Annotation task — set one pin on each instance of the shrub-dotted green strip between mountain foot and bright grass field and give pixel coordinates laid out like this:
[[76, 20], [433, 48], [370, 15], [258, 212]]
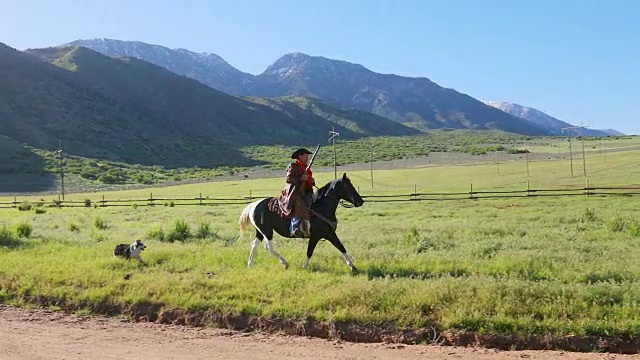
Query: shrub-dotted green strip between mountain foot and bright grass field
[[84, 174]]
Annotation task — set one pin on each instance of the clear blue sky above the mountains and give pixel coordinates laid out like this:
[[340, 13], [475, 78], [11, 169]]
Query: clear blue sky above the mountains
[[576, 60]]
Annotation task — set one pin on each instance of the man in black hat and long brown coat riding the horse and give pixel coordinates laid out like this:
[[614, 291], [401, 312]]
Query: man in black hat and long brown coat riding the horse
[[297, 194]]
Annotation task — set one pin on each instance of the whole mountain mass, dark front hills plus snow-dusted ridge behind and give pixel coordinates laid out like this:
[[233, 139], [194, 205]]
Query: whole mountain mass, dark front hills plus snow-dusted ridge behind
[[147, 104]]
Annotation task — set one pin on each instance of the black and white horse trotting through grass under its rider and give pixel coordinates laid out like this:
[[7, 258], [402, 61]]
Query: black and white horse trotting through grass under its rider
[[265, 217]]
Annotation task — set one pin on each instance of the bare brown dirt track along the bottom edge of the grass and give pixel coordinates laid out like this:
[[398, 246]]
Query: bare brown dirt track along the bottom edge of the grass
[[39, 334]]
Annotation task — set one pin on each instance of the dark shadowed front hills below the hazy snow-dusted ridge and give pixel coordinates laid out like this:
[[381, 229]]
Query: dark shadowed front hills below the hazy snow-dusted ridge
[[126, 109]]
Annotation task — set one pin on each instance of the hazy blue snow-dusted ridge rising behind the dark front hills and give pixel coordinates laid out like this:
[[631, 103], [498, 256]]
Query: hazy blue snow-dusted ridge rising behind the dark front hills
[[415, 102]]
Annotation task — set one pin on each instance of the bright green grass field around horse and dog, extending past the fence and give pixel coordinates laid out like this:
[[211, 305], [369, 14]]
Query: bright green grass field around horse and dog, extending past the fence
[[502, 266]]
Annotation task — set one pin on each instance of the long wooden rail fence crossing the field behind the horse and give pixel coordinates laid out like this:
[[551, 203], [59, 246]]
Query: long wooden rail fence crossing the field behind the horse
[[627, 190]]
